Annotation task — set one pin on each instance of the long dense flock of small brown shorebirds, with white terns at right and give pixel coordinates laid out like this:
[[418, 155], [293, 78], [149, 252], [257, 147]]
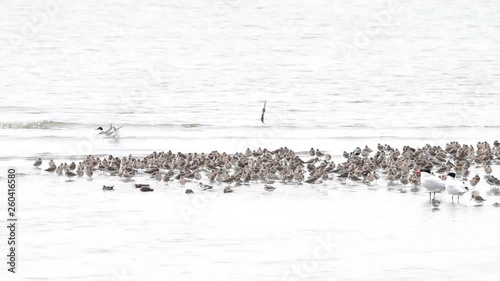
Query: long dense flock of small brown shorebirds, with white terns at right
[[435, 168]]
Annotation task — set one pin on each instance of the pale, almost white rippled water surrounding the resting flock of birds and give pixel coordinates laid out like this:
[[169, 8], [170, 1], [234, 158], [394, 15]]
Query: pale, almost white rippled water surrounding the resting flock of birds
[[193, 76]]
